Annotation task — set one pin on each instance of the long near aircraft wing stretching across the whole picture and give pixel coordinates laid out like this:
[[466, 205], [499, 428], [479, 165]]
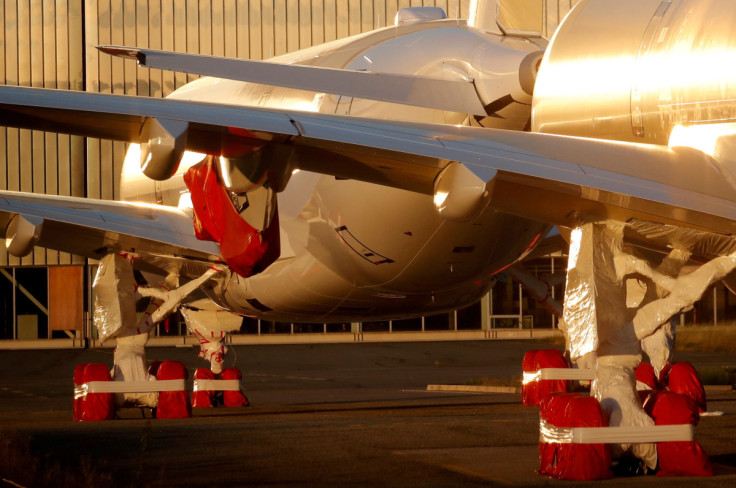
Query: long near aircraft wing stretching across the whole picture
[[548, 178]]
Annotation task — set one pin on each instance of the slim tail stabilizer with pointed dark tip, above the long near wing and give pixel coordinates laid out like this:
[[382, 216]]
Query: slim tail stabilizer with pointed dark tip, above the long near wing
[[450, 95]]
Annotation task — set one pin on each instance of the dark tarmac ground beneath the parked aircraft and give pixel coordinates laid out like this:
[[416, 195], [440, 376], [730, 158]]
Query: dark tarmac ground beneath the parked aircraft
[[320, 415]]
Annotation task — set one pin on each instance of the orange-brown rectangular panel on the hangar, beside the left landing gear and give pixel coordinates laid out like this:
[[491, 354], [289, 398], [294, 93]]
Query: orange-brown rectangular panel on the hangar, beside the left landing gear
[[66, 286]]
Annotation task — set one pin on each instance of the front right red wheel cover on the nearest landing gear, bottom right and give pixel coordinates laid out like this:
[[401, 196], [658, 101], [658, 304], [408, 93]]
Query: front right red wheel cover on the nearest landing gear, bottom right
[[684, 458]]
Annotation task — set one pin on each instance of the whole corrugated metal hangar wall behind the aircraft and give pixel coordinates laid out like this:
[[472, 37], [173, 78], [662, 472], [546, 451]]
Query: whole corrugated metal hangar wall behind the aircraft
[[50, 43]]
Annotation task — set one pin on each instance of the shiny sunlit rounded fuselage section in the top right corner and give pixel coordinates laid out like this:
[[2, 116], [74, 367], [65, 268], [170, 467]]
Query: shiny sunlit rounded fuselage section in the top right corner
[[632, 70]]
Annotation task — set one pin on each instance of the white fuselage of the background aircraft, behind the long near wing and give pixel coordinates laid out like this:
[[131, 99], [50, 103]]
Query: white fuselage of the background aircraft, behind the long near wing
[[351, 249]]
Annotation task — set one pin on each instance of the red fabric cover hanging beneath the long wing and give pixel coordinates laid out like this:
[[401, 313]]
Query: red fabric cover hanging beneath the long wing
[[245, 249]]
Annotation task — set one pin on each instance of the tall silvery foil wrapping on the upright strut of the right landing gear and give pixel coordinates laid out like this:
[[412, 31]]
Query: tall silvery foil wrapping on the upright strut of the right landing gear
[[599, 326]]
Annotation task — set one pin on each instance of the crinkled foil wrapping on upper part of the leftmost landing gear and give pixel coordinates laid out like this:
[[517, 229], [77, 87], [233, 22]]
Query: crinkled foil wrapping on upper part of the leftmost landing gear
[[114, 288]]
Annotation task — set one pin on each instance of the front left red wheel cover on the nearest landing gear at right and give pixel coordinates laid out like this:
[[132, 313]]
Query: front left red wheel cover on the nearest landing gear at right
[[573, 461]]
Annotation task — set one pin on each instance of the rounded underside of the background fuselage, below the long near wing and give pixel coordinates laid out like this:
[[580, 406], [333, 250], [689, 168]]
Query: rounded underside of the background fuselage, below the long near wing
[[358, 249]]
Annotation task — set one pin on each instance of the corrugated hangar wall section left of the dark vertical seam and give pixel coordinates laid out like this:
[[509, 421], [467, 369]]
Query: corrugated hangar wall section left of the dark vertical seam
[[41, 45]]
